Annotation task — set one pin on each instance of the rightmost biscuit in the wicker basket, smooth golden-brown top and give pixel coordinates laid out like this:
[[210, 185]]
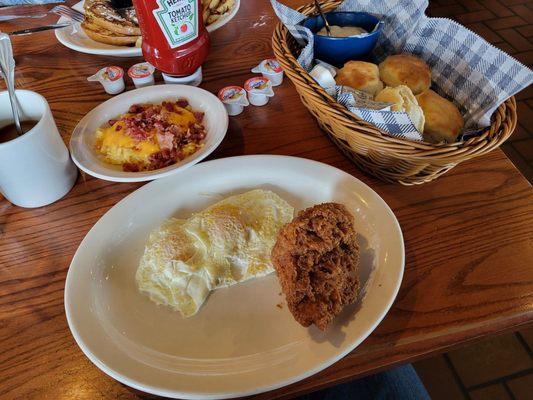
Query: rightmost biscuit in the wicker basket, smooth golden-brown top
[[444, 122]]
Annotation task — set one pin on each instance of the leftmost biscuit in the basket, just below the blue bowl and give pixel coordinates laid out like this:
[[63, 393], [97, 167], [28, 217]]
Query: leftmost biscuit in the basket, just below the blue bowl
[[360, 75]]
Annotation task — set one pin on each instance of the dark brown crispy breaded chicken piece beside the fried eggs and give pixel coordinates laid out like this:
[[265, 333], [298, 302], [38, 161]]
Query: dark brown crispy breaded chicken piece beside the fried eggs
[[316, 257]]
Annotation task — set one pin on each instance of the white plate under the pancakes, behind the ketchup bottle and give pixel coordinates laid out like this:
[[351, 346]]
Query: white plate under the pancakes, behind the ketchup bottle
[[75, 38]]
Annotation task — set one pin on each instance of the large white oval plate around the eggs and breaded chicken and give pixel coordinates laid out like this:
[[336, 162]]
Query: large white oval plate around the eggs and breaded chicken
[[244, 340]]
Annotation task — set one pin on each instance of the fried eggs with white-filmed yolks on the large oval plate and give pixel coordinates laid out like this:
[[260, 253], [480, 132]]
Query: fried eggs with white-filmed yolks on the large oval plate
[[227, 243]]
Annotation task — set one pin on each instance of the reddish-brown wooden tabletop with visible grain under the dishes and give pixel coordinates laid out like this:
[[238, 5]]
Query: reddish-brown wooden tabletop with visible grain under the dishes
[[468, 235]]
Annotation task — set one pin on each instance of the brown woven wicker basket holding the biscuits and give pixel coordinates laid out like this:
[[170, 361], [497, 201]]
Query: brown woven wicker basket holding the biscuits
[[372, 150]]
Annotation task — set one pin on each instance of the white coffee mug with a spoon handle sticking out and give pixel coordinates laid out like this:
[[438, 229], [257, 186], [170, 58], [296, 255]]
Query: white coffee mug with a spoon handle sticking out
[[35, 168]]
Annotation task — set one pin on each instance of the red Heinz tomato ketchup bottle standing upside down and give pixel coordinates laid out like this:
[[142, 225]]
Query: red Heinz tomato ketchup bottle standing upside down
[[174, 38]]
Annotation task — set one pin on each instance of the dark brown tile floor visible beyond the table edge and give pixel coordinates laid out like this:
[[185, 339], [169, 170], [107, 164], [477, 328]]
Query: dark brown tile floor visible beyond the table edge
[[499, 368]]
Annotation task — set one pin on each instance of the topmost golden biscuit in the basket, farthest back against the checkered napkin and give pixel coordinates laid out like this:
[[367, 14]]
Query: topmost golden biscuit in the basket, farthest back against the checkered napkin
[[404, 69]]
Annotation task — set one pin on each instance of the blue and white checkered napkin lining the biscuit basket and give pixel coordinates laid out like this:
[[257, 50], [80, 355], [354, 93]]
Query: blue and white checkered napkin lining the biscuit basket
[[477, 76]]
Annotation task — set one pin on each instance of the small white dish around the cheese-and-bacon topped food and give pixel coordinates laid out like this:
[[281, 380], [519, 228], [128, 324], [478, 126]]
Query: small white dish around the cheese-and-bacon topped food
[[82, 141]]
